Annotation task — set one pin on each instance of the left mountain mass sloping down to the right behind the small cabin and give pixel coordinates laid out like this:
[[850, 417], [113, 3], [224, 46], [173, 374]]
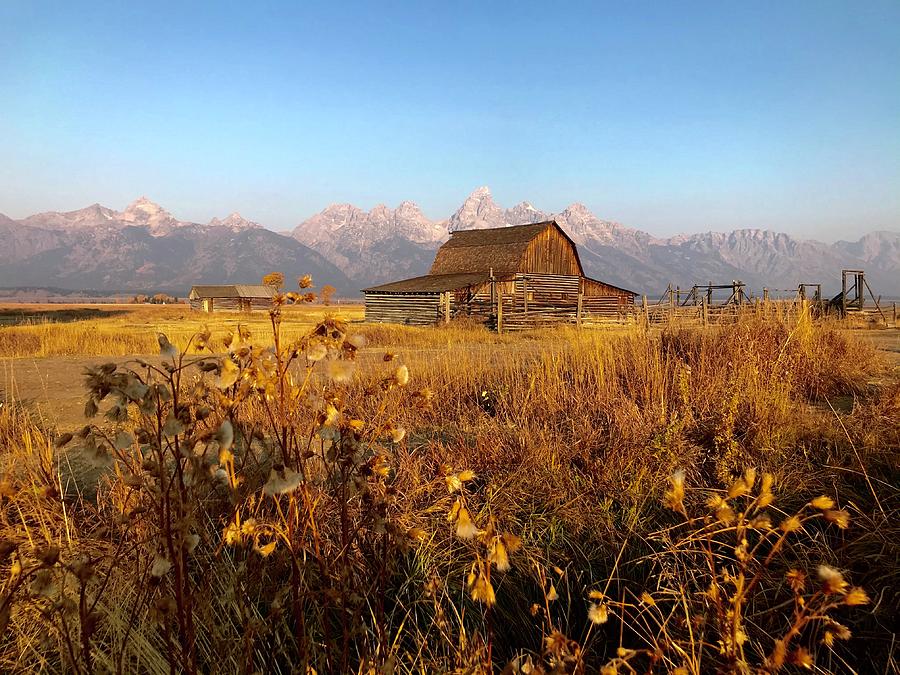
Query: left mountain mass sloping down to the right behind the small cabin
[[145, 248]]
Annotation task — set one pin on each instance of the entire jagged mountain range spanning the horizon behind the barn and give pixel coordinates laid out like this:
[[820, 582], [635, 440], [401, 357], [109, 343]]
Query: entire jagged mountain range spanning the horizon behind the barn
[[146, 248]]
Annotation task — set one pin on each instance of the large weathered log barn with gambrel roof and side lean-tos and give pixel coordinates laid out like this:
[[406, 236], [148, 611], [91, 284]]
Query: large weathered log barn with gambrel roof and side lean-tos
[[512, 277]]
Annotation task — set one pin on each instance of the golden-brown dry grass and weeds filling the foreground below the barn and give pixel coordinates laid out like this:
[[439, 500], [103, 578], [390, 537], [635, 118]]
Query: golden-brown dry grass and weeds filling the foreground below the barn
[[677, 501]]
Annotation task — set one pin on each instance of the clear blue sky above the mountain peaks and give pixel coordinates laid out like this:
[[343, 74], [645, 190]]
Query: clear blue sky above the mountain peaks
[[668, 116]]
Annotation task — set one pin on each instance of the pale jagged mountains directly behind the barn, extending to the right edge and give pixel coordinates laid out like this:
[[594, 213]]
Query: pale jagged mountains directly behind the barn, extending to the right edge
[[371, 248]]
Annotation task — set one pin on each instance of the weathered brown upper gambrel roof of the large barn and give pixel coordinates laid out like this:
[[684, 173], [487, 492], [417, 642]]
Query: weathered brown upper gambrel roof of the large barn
[[499, 248]]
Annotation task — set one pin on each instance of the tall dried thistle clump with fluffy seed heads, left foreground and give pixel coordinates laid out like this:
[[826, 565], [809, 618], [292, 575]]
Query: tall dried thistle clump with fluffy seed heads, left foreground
[[269, 443]]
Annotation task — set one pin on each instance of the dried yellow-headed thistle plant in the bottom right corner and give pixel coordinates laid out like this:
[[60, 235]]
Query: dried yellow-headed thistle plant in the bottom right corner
[[713, 607]]
